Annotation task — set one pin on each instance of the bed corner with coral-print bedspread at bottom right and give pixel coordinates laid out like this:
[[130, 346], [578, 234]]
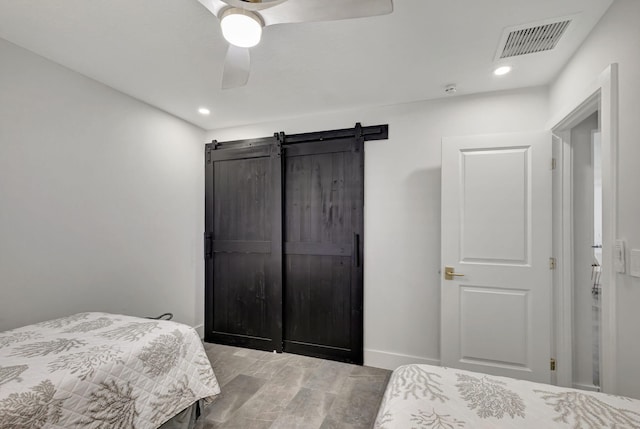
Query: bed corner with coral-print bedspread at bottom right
[[424, 396]]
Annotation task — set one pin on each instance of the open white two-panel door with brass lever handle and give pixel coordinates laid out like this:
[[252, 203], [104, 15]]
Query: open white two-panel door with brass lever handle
[[496, 232]]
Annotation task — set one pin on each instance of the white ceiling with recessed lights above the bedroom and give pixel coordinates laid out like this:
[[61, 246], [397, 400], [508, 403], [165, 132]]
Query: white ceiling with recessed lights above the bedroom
[[169, 53]]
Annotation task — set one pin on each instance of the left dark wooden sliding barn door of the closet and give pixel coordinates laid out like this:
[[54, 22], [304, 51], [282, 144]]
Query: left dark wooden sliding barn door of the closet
[[244, 247]]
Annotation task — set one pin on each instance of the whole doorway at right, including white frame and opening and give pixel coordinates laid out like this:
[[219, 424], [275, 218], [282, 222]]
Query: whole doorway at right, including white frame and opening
[[584, 230]]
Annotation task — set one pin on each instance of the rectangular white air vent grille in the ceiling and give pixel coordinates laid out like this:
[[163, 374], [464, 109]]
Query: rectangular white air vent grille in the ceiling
[[531, 38]]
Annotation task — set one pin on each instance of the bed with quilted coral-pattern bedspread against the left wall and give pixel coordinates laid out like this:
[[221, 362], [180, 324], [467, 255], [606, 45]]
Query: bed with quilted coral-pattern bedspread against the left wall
[[99, 370]]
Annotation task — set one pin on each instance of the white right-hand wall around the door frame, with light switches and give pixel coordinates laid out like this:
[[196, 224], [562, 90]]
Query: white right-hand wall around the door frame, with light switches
[[615, 40]]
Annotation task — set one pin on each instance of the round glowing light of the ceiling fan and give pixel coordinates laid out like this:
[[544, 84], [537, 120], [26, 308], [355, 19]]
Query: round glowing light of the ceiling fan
[[241, 27]]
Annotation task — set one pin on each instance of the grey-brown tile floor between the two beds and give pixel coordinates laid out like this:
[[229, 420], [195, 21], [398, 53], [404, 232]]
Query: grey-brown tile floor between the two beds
[[286, 391]]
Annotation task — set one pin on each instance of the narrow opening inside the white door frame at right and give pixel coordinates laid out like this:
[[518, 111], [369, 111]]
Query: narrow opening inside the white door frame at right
[[586, 249]]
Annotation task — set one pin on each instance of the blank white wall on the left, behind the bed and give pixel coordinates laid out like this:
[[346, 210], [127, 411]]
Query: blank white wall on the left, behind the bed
[[101, 199]]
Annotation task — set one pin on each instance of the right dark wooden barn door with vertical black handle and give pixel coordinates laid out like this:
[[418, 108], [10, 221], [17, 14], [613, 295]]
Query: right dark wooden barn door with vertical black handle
[[323, 222]]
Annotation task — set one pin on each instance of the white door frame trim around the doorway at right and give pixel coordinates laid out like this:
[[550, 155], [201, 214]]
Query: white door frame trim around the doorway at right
[[601, 96]]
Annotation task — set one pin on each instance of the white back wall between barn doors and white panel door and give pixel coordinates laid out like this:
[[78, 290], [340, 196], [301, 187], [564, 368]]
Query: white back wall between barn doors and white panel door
[[402, 207]]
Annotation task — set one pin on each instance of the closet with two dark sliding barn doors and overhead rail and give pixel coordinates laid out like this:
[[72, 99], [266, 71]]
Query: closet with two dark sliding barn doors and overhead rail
[[284, 241]]
